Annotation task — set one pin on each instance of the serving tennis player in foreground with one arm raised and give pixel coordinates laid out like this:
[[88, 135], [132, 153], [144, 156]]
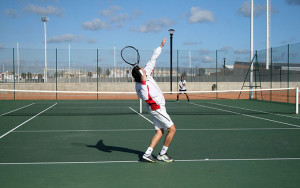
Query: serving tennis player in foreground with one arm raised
[[148, 90]]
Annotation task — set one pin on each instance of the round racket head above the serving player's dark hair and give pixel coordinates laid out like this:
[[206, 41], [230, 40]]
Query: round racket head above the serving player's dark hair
[[130, 55]]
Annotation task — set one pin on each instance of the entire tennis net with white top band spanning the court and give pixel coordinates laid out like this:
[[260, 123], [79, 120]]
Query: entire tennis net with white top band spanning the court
[[283, 100]]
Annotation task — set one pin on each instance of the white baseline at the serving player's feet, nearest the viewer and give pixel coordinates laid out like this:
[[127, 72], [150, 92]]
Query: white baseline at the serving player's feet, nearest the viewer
[[187, 160]]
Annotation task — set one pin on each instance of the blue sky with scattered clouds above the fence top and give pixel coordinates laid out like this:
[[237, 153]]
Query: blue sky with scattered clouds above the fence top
[[198, 24]]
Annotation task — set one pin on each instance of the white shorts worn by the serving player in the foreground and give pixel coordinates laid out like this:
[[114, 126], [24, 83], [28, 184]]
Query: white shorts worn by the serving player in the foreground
[[161, 119]]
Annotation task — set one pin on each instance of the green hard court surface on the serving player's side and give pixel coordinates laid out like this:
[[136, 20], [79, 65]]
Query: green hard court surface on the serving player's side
[[219, 143]]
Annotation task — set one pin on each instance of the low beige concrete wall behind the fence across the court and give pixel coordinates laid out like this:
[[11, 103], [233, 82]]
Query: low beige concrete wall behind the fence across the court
[[130, 87]]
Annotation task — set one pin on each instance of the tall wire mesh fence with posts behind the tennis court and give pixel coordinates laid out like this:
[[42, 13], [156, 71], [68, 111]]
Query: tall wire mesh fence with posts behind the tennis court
[[104, 70]]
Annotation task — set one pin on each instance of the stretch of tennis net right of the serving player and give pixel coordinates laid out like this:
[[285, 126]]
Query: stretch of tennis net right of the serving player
[[257, 101]]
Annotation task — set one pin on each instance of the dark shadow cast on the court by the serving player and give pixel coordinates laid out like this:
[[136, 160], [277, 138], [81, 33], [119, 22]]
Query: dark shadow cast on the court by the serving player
[[105, 148]]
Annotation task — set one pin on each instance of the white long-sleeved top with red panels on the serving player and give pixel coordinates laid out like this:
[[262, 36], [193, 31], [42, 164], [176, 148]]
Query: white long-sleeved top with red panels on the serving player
[[148, 90]]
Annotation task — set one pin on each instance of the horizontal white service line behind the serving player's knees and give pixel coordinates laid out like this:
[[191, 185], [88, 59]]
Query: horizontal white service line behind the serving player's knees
[[128, 130]]
